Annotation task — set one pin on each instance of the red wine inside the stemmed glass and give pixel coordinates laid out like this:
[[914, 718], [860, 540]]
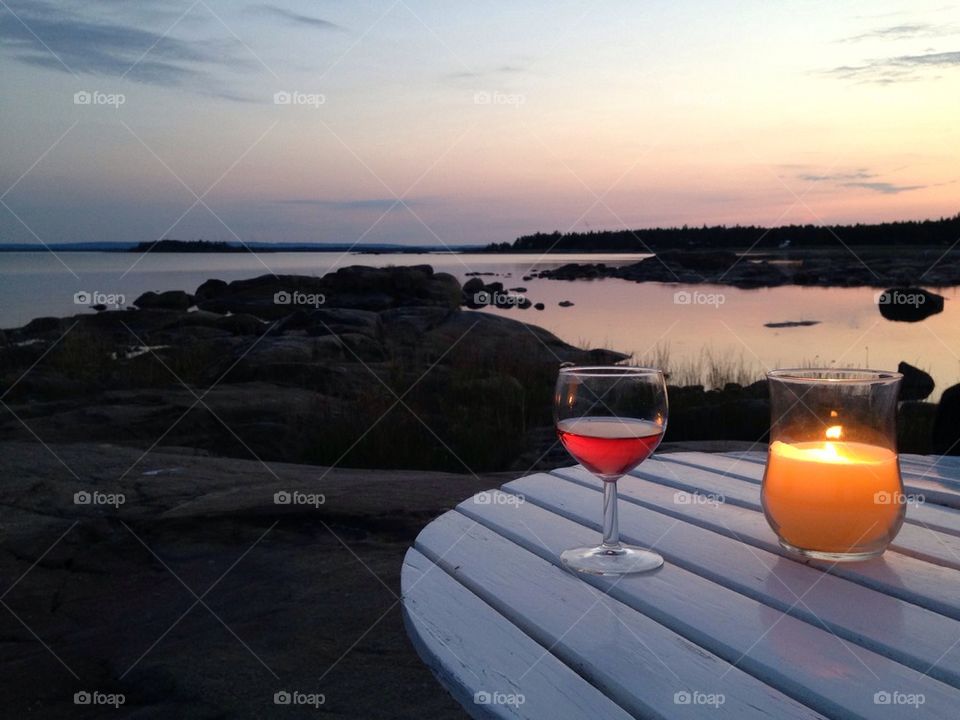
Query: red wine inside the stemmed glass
[[609, 445]]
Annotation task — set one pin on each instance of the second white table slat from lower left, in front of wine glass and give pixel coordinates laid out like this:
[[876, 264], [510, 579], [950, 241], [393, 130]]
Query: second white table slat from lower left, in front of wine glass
[[634, 660]]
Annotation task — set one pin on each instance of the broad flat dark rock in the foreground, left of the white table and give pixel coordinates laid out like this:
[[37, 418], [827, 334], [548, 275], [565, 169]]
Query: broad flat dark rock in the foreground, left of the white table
[[100, 599]]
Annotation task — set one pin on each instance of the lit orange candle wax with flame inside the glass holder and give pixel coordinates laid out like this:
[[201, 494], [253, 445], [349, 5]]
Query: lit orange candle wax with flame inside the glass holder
[[833, 496]]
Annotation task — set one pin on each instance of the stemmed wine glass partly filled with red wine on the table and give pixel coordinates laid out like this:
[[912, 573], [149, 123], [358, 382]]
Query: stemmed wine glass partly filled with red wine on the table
[[610, 419]]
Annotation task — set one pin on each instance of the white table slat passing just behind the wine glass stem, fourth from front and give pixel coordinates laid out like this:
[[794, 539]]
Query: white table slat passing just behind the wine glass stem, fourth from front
[[919, 638]]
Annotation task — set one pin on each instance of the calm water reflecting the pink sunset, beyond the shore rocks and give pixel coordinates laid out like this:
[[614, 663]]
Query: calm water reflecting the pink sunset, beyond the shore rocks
[[631, 317]]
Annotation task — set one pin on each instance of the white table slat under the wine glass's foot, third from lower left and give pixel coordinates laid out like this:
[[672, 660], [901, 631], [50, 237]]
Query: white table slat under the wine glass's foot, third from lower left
[[782, 651]]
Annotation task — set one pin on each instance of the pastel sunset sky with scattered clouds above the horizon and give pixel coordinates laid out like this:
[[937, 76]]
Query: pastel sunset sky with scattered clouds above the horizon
[[443, 122]]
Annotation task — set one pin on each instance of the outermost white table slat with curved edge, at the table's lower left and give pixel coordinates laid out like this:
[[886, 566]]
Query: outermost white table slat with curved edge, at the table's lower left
[[473, 649]]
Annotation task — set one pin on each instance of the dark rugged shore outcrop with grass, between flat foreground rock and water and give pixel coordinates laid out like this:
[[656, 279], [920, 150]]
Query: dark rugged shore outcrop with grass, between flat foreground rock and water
[[366, 367]]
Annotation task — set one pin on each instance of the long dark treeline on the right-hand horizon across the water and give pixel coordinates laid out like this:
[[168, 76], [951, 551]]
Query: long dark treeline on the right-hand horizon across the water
[[945, 231]]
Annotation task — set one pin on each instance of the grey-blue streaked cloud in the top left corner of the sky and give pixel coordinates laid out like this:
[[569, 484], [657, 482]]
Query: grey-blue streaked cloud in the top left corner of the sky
[[41, 35]]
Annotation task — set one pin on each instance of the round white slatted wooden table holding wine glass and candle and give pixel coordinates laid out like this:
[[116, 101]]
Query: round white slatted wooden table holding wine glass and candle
[[730, 627]]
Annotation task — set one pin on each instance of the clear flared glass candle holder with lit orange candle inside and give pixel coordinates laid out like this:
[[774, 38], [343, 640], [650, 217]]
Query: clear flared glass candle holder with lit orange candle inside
[[832, 488]]
